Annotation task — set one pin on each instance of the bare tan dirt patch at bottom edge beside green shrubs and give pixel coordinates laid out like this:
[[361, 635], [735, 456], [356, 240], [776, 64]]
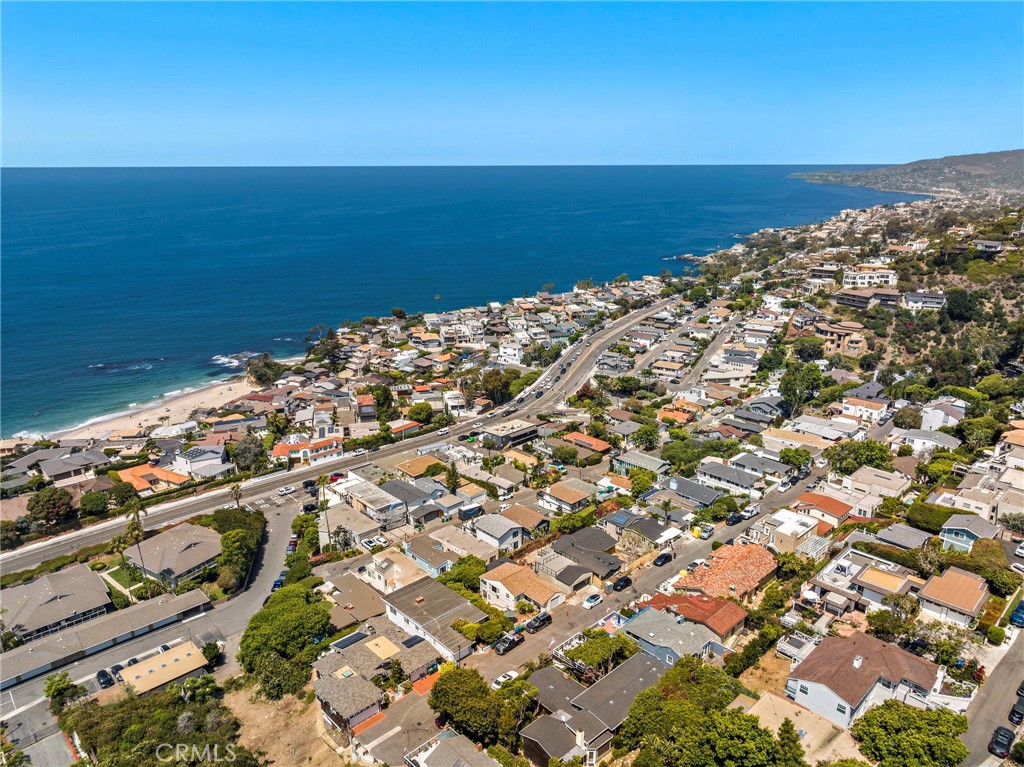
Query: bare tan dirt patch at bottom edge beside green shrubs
[[285, 730]]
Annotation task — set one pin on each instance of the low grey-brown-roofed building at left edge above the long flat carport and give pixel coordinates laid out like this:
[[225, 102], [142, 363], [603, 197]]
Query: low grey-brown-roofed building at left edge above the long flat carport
[[55, 602]]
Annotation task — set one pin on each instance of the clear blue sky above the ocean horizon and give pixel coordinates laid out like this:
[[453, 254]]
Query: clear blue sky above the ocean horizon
[[109, 84]]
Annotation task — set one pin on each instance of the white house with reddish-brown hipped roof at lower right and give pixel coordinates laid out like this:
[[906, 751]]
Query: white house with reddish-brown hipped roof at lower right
[[845, 676]]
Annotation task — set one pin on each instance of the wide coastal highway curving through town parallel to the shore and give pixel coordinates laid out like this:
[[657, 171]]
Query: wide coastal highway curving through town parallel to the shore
[[589, 349]]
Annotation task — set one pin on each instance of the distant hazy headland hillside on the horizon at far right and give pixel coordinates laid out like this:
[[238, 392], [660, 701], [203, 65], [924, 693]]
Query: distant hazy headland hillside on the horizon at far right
[[1000, 173]]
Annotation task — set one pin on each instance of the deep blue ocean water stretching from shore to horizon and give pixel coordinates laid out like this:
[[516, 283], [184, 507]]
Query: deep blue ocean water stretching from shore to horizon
[[122, 285]]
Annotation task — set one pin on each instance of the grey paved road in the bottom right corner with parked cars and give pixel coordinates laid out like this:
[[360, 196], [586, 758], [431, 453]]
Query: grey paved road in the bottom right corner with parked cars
[[991, 709]]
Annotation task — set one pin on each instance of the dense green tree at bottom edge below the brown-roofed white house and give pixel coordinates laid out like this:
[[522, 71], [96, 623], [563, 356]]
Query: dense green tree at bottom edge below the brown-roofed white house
[[895, 735]]
